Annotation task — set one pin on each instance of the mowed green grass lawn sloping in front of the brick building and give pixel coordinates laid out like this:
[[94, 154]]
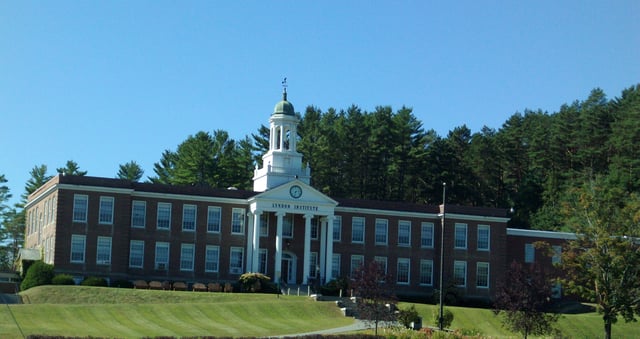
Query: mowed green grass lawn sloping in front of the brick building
[[127, 313]]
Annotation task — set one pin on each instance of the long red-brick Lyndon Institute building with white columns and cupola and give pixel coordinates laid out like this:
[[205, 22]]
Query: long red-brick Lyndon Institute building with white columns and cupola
[[118, 229]]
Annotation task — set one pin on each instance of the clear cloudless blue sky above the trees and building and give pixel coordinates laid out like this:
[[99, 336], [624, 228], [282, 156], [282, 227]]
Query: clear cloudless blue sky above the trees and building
[[106, 82]]
